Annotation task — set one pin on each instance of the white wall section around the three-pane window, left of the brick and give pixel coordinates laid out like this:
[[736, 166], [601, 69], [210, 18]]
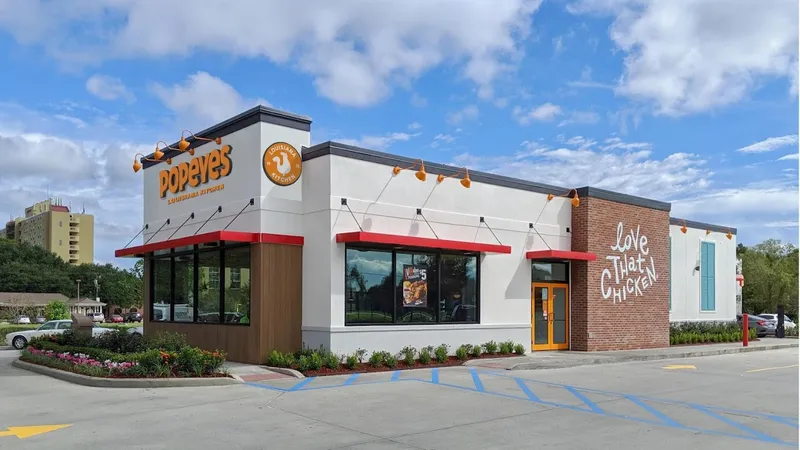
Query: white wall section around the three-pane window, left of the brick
[[383, 203]]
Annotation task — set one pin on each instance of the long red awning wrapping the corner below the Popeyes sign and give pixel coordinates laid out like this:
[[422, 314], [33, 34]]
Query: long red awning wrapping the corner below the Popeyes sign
[[205, 238]]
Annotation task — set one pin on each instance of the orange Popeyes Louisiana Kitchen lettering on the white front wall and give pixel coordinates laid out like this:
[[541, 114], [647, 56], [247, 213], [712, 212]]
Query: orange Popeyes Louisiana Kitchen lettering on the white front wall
[[197, 171]]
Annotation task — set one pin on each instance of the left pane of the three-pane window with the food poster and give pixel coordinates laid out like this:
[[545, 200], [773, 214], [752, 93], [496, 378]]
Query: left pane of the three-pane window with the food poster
[[368, 287]]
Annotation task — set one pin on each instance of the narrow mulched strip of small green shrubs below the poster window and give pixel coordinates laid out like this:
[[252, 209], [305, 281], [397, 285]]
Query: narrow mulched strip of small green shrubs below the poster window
[[321, 362]]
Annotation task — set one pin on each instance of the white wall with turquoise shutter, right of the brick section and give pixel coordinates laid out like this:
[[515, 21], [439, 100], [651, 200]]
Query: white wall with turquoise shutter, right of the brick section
[[685, 280]]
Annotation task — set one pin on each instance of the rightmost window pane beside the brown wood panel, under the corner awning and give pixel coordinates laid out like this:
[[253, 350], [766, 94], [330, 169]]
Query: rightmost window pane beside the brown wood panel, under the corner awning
[[237, 294]]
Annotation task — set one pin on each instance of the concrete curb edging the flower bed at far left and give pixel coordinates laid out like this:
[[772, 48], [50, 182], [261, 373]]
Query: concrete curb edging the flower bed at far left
[[123, 382]]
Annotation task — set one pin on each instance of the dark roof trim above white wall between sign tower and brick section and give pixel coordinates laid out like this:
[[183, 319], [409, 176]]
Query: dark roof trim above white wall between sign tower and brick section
[[387, 159]]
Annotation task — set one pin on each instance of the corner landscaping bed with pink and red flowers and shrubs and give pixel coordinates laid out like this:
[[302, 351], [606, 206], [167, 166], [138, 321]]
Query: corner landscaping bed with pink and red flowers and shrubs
[[119, 354]]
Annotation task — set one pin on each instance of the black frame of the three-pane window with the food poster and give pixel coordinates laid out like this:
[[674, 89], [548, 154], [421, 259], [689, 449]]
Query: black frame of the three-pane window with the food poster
[[396, 308]]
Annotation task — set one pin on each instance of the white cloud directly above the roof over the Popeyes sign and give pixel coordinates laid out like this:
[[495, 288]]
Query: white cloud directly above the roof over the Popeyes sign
[[203, 99]]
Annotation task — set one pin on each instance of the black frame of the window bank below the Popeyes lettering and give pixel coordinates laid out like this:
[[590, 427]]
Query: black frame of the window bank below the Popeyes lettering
[[195, 251]]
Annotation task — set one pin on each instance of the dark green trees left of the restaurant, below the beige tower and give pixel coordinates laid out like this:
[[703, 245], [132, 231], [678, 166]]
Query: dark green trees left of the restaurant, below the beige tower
[[27, 268]]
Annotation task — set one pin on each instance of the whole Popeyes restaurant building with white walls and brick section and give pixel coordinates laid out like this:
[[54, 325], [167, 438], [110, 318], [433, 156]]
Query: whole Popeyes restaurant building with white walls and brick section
[[255, 240]]
